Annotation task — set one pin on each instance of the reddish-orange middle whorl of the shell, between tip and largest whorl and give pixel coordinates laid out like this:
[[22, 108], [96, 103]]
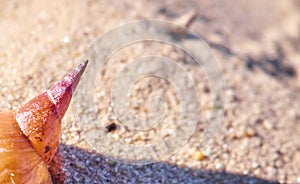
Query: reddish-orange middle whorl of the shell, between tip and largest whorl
[[40, 122]]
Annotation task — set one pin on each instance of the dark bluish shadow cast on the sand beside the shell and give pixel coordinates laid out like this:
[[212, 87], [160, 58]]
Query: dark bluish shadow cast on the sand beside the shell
[[88, 167]]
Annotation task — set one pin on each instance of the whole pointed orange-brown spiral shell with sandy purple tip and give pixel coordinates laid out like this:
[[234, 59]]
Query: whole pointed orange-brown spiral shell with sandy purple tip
[[29, 137]]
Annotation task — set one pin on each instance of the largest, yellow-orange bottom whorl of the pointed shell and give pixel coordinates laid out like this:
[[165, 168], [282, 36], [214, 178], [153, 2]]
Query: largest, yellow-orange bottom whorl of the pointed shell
[[20, 163]]
